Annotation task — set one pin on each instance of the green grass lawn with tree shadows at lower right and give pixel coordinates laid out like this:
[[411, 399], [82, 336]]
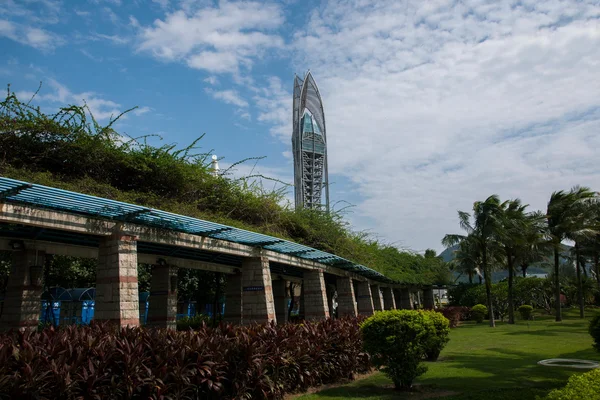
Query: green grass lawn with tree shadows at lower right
[[485, 363]]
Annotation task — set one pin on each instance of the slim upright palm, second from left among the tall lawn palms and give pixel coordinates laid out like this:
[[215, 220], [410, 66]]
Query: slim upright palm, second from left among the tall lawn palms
[[510, 238]]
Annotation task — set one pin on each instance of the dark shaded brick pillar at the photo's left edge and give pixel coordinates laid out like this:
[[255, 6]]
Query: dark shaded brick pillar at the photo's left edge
[[22, 303]]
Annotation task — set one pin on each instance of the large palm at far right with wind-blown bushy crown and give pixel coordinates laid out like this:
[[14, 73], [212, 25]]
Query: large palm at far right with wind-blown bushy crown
[[566, 220]]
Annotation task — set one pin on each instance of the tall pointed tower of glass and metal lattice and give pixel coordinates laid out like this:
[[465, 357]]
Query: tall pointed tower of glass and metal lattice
[[309, 145]]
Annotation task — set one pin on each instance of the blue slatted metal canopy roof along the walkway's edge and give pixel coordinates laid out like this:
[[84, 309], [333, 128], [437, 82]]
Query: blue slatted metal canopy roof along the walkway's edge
[[19, 192]]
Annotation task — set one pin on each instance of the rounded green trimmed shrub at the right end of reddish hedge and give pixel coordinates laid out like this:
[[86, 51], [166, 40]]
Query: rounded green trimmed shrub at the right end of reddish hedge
[[397, 341]]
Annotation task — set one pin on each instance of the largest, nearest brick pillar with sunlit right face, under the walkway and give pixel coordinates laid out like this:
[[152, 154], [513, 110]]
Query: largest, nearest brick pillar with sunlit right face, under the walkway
[[117, 297]]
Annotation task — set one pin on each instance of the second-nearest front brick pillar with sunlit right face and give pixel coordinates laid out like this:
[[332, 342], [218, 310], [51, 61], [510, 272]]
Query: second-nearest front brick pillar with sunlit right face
[[257, 291]]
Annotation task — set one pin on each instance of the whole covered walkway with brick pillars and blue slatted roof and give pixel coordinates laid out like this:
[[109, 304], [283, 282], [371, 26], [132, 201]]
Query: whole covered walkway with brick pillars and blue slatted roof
[[36, 220]]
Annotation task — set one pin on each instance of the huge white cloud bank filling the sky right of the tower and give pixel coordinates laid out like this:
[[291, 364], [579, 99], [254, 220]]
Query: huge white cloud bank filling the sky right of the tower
[[433, 105]]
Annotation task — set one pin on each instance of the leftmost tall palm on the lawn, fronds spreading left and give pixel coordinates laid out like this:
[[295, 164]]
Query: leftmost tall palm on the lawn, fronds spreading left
[[483, 231]]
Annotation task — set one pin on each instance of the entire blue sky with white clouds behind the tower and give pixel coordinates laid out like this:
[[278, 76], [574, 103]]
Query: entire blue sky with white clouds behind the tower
[[429, 105]]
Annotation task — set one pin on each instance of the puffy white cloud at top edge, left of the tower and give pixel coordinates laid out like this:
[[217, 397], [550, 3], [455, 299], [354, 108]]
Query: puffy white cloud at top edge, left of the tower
[[218, 39]]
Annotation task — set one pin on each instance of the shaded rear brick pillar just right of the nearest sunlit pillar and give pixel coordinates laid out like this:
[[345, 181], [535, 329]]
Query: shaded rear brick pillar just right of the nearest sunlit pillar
[[162, 310]]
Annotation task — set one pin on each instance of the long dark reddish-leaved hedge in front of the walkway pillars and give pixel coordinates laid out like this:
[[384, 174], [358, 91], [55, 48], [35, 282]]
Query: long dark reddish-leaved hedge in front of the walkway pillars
[[226, 362]]
